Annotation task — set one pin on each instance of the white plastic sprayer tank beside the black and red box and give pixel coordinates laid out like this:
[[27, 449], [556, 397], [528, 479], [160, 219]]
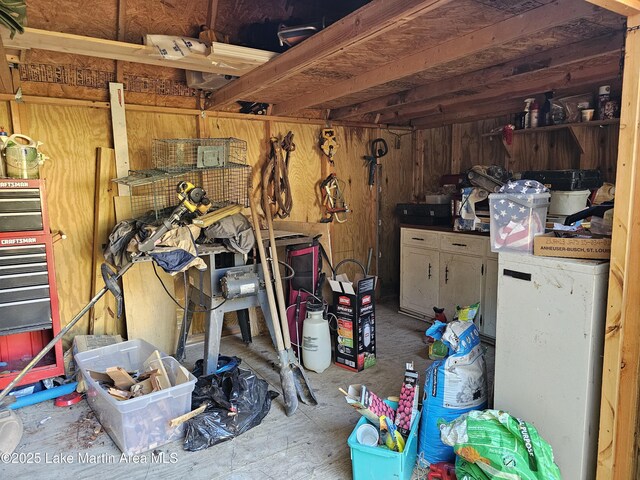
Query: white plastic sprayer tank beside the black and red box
[[316, 340]]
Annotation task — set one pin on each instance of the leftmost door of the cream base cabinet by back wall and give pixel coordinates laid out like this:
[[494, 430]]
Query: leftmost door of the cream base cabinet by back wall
[[418, 280]]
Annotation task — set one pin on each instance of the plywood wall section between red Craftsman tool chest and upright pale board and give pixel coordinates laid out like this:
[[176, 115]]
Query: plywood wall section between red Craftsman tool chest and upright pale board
[[70, 136]]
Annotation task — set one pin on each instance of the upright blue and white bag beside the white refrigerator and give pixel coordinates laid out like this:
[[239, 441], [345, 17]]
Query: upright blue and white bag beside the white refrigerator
[[453, 386]]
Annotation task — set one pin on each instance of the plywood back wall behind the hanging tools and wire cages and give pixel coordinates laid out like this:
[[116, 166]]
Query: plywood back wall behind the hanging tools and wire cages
[[71, 134]]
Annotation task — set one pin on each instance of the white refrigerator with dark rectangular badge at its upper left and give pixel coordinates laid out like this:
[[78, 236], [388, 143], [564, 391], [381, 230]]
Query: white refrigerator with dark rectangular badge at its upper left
[[549, 344]]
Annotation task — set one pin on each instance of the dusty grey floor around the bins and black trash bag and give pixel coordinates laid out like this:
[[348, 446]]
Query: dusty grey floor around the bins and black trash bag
[[310, 444]]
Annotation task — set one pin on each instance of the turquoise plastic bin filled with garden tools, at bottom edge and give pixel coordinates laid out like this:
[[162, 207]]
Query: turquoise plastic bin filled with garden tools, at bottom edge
[[377, 463]]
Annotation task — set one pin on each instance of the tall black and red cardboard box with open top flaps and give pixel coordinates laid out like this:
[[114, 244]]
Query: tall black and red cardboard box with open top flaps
[[354, 307]]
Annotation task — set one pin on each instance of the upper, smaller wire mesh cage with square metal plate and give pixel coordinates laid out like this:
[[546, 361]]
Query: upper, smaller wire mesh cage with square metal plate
[[178, 154]]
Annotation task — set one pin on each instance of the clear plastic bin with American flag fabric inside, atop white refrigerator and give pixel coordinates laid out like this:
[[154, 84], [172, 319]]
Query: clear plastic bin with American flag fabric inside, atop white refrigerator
[[516, 219]]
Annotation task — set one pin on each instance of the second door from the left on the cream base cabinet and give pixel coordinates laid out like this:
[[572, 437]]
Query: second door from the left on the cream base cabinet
[[460, 281]]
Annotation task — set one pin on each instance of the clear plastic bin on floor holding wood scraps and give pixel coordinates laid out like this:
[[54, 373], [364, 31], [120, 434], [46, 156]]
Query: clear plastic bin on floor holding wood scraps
[[138, 424]]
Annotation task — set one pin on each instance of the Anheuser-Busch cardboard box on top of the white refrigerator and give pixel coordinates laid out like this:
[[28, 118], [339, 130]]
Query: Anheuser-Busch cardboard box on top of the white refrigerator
[[572, 245]]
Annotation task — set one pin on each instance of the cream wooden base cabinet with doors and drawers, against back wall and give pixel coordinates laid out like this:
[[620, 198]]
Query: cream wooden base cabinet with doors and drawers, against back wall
[[446, 269]]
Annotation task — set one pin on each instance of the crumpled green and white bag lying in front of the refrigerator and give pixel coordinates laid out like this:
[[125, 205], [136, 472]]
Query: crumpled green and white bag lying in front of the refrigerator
[[493, 444]]
